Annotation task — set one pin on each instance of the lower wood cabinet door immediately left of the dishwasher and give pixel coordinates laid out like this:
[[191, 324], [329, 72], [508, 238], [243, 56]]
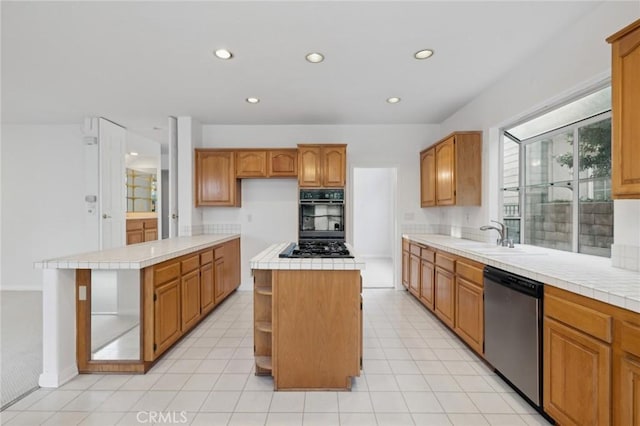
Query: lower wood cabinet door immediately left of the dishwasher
[[470, 313]]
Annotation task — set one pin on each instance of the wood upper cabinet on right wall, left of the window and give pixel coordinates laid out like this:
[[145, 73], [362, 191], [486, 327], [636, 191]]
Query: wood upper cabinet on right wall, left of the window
[[451, 171]]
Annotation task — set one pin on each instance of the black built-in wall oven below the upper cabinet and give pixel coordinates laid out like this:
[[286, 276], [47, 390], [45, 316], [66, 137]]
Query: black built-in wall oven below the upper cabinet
[[321, 215]]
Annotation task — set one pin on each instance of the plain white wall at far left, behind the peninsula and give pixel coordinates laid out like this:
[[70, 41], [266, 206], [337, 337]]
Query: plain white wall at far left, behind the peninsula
[[44, 215]]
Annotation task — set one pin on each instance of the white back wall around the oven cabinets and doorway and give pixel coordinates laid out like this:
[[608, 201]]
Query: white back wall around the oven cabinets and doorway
[[269, 207]]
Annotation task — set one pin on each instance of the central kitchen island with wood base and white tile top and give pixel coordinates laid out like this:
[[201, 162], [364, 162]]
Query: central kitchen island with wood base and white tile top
[[308, 320]]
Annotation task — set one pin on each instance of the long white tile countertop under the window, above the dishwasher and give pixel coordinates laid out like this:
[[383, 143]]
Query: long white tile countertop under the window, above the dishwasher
[[590, 276]]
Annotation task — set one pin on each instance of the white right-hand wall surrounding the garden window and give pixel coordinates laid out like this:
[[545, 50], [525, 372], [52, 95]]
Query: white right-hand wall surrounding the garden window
[[576, 59]]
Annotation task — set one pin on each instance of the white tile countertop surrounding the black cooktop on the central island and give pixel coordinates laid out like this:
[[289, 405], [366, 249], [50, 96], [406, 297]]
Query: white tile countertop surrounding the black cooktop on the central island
[[268, 259]]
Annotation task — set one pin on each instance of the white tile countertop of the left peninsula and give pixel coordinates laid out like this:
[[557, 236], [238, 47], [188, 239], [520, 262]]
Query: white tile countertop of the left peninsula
[[136, 256]]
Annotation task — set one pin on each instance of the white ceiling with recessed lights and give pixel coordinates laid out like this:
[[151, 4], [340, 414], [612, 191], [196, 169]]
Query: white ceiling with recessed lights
[[137, 63]]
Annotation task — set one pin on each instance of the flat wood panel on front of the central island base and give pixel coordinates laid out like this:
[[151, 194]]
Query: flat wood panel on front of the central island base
[[316, 329]]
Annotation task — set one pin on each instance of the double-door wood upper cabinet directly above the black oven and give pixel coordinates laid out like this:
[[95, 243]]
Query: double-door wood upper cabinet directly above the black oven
[[322, 165]]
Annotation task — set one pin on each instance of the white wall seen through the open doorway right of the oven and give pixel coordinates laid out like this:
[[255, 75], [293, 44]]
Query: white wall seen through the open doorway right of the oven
[[372, 211]]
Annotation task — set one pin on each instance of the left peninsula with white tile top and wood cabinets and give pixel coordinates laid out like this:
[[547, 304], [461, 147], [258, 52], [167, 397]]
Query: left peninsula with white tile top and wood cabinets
[[119, 310]]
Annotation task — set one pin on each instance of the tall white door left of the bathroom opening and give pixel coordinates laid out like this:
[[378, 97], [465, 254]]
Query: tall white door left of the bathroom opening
[[112, 210]]
